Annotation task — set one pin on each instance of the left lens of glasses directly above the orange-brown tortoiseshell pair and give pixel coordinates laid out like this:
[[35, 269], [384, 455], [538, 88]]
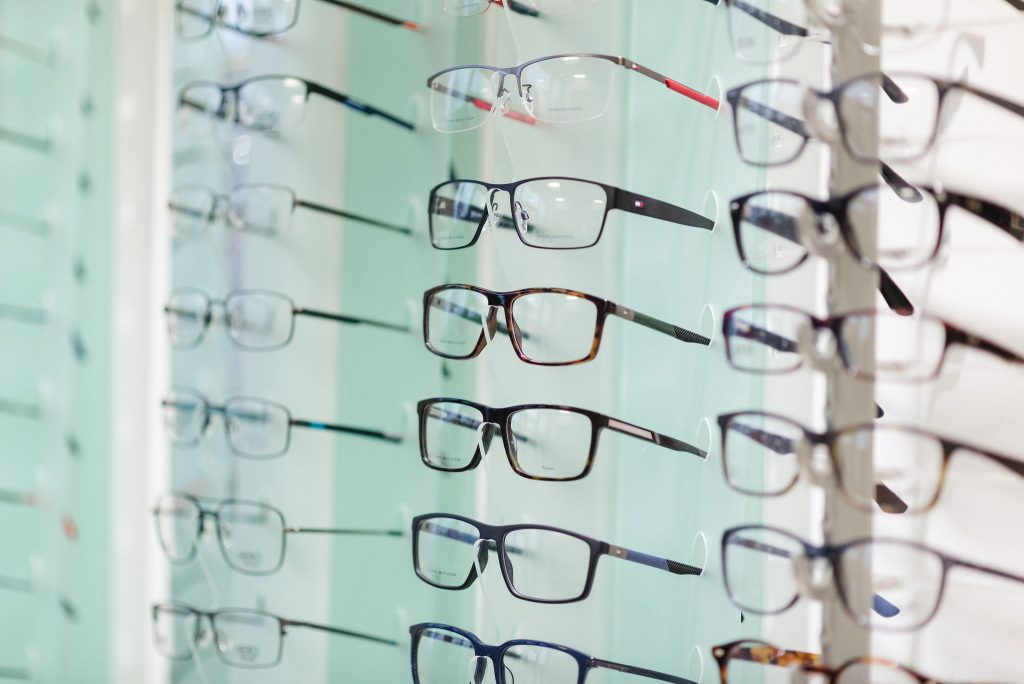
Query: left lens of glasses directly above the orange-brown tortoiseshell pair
[[760, 574]]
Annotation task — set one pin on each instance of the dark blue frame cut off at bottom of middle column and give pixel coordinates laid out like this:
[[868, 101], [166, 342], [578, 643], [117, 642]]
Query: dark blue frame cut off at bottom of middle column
[[496, 654]]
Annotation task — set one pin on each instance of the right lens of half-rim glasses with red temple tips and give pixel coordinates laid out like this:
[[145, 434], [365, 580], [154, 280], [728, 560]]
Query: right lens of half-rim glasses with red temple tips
[[567, 90]]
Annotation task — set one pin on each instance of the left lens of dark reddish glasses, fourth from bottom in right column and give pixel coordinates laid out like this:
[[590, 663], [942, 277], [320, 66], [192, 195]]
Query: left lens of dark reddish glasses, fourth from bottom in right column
[[765, 339]]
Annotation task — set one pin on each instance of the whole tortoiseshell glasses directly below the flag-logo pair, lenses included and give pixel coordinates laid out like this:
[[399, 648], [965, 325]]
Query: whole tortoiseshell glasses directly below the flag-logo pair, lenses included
[[546, 326]]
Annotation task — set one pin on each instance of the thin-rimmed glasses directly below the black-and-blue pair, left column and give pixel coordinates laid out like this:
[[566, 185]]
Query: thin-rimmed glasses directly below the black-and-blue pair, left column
[[254, 208]]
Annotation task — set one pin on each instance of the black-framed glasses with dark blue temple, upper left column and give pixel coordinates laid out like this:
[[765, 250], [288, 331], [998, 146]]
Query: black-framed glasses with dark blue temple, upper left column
[[266, 104]]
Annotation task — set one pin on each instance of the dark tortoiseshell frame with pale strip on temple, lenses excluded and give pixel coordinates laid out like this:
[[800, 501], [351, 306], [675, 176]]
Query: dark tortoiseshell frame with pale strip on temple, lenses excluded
[[501, 419]]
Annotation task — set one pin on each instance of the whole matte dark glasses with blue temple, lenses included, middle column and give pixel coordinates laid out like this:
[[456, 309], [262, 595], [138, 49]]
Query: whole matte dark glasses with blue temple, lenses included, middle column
[[539, 564]]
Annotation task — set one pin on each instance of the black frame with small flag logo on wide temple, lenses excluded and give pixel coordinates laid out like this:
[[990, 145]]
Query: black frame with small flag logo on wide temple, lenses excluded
[[617, 199]]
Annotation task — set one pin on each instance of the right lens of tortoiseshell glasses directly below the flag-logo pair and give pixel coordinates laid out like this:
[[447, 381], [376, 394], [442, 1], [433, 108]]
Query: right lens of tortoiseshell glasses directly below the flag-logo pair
[[556, 328]]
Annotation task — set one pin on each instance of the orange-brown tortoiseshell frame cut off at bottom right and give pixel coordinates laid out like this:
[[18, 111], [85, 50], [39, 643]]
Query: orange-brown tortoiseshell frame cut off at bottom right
[[765, 654]]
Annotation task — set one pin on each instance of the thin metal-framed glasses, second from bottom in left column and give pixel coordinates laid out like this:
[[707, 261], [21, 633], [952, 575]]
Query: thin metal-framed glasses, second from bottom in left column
[[251, 536]]
